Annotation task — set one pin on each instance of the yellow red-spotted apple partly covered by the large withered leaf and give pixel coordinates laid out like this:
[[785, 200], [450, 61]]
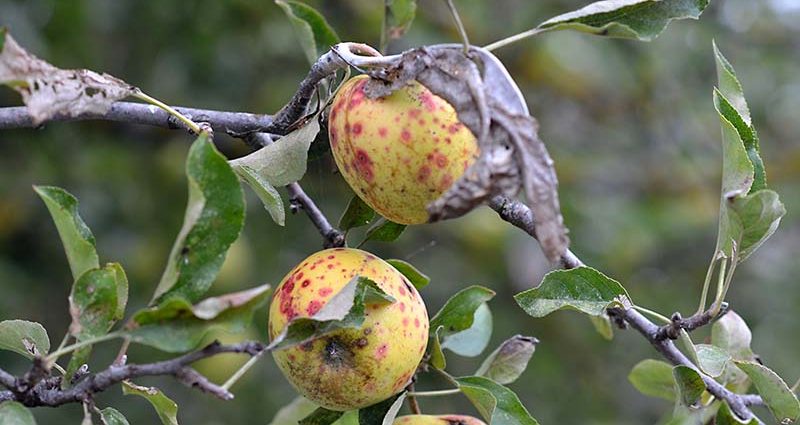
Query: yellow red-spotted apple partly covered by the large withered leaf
[[399, 152]]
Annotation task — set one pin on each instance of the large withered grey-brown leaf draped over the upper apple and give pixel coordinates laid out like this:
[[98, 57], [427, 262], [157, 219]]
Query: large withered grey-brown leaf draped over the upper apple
[[490, 104]]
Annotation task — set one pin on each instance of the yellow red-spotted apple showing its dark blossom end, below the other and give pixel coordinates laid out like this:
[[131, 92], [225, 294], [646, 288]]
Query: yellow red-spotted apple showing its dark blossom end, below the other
[[350, 368]]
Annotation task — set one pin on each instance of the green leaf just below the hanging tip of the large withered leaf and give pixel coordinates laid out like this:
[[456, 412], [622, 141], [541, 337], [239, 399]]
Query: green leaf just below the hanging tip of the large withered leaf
[[584, 289]]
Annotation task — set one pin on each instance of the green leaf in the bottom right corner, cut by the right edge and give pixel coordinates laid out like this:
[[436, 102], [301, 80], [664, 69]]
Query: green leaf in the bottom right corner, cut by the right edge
[[780, 400]]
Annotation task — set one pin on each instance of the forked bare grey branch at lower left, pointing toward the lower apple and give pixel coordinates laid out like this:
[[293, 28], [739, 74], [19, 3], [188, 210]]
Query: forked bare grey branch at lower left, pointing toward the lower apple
[[48, 391]]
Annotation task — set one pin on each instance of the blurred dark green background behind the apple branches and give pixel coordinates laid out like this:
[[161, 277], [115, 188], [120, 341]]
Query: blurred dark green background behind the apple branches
[[630, 125]]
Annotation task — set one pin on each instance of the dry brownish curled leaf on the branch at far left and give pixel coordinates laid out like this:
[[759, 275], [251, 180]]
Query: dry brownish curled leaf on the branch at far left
[[49, 91]]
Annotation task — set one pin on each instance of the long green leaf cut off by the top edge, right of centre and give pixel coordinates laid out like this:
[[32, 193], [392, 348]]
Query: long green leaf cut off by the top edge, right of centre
[[635, 19]]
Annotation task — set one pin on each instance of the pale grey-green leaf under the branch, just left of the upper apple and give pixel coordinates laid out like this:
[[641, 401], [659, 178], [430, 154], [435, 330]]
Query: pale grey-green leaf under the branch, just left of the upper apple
[[284, 161]]
